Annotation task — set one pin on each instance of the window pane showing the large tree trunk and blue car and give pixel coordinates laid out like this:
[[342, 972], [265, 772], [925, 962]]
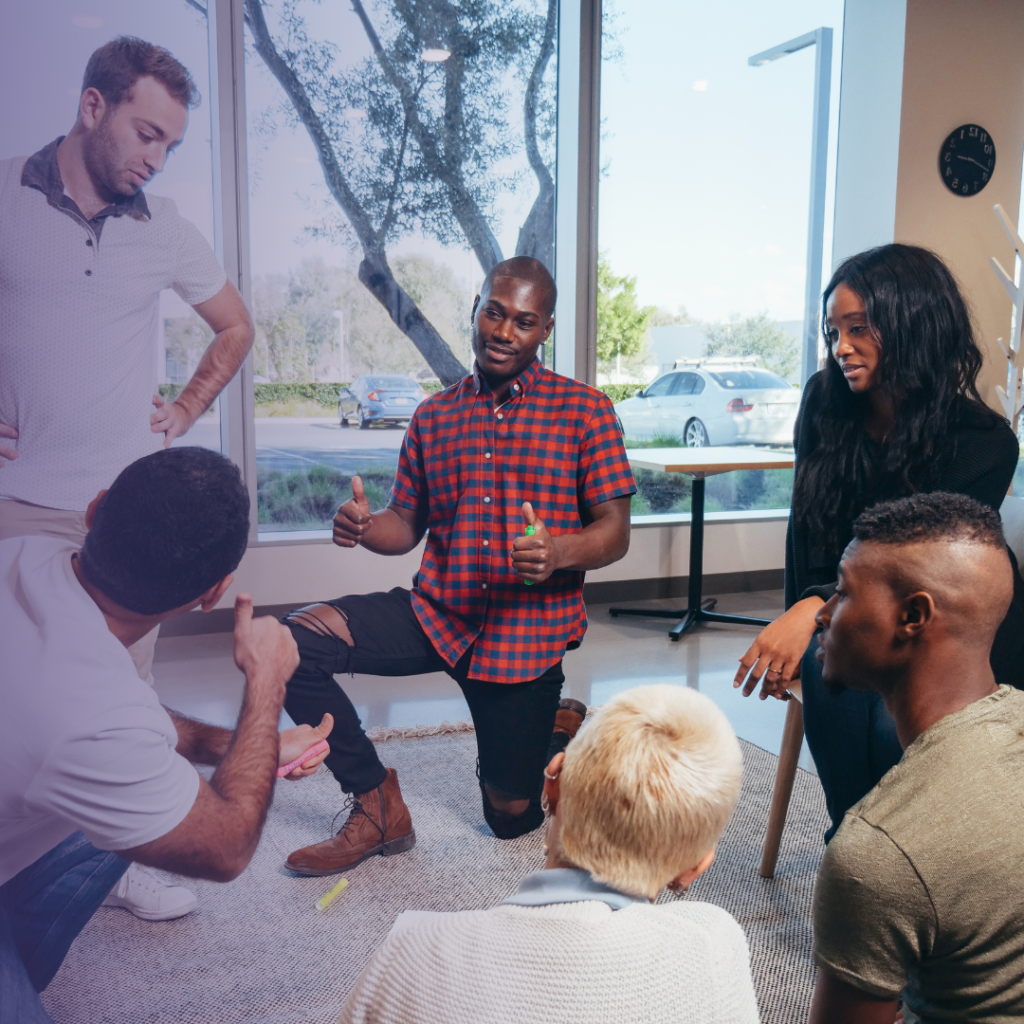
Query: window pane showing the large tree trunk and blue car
[[439, 137]]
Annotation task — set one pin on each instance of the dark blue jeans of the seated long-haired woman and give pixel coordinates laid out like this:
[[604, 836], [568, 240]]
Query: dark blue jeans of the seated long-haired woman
[[852, 739]]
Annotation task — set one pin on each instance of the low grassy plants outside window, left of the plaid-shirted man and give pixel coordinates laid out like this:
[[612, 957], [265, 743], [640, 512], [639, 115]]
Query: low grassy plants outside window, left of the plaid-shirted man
[[308, 499]]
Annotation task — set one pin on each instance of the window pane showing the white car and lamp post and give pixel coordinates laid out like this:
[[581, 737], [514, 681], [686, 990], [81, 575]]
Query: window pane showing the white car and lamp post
[[705, 196]]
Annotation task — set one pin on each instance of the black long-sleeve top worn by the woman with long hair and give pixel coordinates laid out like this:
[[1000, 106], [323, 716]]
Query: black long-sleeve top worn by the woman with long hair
[[979, 462]]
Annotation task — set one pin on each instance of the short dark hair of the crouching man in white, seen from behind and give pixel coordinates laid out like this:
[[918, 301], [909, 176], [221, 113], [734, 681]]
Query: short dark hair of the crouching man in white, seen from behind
[[173, 526]]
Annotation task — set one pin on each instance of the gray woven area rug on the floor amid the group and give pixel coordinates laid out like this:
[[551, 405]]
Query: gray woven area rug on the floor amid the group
[[258, 952]]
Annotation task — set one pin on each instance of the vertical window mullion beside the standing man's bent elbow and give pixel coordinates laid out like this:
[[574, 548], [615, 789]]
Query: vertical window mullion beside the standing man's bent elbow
[[231, 208]]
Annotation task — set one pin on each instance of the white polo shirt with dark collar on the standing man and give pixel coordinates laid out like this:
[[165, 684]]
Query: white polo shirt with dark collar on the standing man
[[79, 310]]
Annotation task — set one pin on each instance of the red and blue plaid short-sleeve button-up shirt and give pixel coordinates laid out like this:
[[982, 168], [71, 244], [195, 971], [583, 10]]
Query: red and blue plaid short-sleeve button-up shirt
[[467, 470]]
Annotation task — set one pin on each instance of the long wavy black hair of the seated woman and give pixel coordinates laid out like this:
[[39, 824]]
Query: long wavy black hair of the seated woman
[[929, 364]]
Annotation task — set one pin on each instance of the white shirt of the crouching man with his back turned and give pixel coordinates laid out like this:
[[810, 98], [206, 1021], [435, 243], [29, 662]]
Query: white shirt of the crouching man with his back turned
[[84, 743]]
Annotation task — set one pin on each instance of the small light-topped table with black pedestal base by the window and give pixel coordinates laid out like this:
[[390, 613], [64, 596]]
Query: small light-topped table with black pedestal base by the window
[[700, 464]]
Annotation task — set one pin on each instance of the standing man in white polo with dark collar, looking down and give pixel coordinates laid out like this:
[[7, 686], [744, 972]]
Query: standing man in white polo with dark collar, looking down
[[84, 257]]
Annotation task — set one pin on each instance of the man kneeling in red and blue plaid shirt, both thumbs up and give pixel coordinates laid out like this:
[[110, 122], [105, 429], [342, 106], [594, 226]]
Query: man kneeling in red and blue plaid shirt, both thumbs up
[[509, 447]]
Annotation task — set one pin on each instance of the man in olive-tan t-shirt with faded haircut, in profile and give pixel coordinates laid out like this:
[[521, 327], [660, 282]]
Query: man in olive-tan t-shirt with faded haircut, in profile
[[921, 892]]
